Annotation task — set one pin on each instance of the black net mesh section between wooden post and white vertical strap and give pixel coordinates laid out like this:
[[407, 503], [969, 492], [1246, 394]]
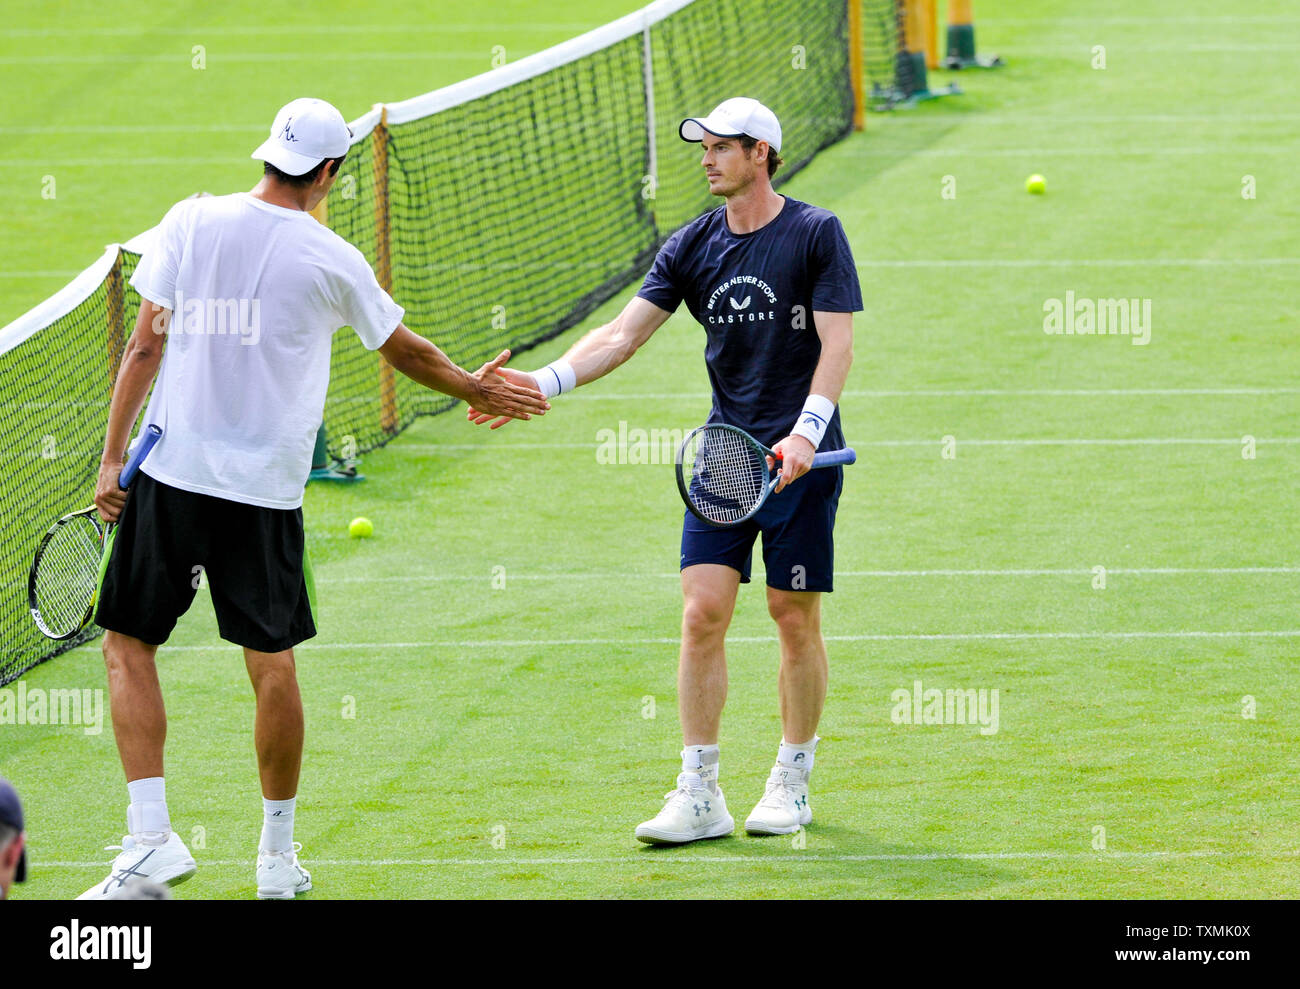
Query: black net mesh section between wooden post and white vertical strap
[[515, 215]]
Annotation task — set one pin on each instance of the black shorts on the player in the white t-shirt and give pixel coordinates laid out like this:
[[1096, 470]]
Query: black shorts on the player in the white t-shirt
[[255, 559]]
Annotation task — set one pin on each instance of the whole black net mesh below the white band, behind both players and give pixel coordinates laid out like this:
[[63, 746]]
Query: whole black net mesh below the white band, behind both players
[[508, 220]]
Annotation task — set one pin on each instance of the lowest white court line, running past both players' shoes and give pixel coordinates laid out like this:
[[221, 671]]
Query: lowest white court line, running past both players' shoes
[[642, 858]]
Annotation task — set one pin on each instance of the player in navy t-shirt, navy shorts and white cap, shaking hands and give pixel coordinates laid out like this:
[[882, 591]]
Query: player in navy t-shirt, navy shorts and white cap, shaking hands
[[774, 284]]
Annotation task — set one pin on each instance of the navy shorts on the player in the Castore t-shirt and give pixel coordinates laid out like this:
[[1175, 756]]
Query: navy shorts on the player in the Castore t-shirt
[[798, 527]]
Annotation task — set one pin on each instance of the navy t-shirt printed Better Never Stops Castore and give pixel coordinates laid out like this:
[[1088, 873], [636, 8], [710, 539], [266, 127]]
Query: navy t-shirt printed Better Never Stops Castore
[[756, 294]]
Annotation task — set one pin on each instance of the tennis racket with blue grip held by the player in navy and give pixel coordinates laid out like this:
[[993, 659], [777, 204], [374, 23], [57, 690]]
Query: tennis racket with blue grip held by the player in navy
[[723, 474]]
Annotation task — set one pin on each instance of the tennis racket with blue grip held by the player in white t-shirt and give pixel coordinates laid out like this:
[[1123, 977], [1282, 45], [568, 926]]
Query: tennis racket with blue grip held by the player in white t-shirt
[[66, 575]]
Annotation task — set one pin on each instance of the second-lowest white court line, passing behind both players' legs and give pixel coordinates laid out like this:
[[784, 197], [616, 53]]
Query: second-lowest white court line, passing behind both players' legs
[[674, 641]]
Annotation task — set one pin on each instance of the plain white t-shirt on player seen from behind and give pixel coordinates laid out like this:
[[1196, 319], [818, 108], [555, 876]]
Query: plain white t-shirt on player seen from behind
[[257, 293]]
